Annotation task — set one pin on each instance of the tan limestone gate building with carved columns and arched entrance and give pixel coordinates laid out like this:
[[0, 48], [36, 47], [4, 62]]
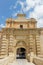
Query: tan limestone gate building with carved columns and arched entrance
[[21, 37]]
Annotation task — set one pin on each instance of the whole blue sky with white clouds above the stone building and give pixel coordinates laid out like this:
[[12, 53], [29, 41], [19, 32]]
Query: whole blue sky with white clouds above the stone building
[[32, 9]]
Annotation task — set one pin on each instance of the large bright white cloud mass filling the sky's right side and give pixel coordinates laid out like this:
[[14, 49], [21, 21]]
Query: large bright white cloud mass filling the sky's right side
[[37, 13]]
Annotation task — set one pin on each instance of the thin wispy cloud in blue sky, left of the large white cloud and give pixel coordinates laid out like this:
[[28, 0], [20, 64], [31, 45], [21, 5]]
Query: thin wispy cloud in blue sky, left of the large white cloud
[[13, 7]]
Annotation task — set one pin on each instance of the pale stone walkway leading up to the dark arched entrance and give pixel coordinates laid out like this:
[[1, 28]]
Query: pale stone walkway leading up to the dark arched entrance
[[21, 62]]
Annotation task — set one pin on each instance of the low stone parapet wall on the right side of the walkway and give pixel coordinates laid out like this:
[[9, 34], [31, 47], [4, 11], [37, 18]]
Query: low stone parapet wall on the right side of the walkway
[[35, 59]]
